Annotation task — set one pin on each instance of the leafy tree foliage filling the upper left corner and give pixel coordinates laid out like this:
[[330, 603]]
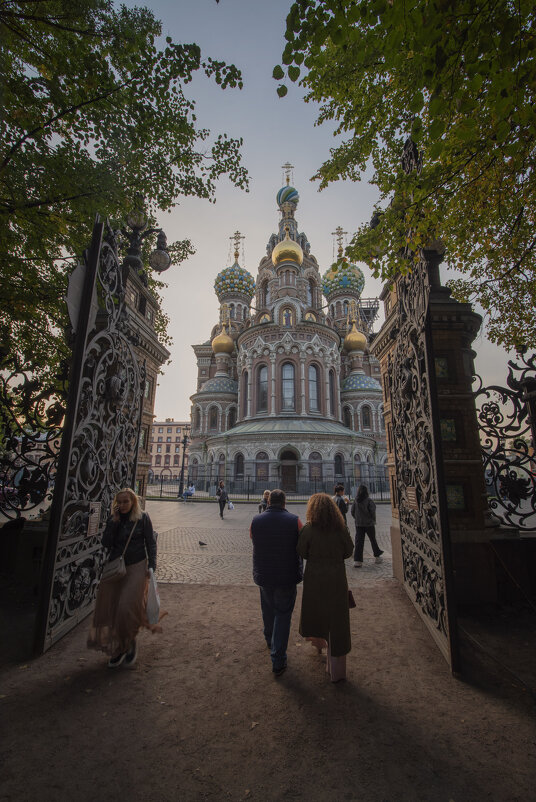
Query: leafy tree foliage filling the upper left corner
[[93, 113]]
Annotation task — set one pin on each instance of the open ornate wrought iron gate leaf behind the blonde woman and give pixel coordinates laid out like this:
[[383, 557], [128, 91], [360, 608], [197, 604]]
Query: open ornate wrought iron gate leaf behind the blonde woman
[[99, 443]]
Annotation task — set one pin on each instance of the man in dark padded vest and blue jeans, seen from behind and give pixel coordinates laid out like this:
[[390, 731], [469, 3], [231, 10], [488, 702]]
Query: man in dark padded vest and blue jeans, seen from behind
[[277, 569]]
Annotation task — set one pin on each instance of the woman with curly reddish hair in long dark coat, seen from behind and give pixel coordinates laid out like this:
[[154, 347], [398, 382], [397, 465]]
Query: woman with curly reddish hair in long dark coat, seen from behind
[[325, 617]]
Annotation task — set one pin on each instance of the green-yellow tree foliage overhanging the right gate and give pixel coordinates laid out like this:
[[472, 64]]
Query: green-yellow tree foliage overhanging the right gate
[[458, 77]]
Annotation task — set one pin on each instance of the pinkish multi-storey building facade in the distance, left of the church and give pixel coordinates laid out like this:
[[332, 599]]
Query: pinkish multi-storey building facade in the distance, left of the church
[[169, 450]]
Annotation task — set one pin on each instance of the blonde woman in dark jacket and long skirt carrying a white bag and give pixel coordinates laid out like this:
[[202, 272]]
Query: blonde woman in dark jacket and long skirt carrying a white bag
[[120, 605]]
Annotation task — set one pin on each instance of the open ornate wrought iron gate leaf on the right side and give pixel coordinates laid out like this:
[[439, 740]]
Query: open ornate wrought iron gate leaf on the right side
[[418, 463]]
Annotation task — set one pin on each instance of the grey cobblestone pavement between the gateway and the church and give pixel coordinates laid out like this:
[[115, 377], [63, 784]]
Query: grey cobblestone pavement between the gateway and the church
[[225, 559]]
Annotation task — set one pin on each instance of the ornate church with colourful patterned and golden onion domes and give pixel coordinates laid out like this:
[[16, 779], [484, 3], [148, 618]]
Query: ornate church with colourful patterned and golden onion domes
[[288, 393]]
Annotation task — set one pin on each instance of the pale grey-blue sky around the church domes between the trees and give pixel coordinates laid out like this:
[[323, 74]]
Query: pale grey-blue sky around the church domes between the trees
[[249, 33]]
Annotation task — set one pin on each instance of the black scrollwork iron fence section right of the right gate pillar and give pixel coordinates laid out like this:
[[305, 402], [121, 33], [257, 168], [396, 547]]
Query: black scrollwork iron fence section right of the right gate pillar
[[507, 420]]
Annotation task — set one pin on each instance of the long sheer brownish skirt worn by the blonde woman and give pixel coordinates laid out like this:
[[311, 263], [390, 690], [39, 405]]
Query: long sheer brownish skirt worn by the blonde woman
[[120, 611]]
